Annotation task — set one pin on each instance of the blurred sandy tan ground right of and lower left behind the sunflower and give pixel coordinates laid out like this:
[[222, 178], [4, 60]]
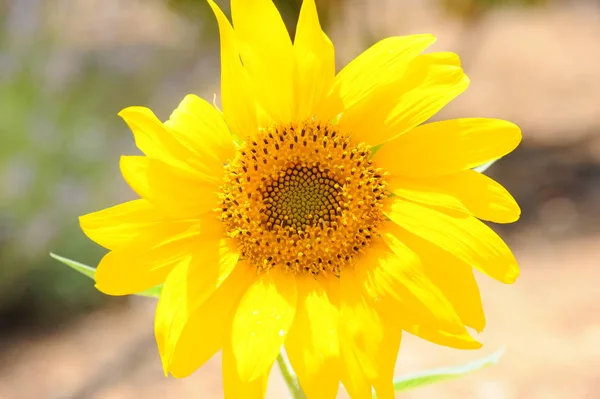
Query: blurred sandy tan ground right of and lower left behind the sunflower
[[537, 68]]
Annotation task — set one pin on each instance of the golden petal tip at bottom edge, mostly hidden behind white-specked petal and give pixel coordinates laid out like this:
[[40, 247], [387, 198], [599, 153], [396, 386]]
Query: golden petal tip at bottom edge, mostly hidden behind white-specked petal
[[236, 387]]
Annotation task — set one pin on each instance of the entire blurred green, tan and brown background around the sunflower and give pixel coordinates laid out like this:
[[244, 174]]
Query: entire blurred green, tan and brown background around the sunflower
[[68, 66]]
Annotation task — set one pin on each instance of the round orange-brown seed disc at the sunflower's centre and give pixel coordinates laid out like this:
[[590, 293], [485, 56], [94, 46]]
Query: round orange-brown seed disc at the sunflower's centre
[[303, 198]]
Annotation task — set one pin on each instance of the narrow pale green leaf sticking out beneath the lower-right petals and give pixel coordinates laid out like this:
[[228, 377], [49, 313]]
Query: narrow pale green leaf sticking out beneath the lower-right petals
[[411, 381]]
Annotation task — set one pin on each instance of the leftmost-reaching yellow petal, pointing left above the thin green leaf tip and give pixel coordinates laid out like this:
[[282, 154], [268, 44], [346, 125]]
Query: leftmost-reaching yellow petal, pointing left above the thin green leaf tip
[[120, 225]]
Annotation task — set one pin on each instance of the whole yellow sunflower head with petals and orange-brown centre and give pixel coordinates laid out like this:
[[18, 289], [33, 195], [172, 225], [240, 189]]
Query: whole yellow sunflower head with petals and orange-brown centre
[[338, 220]]
